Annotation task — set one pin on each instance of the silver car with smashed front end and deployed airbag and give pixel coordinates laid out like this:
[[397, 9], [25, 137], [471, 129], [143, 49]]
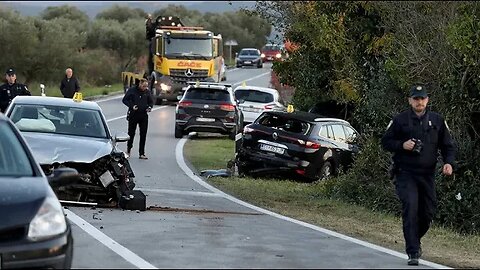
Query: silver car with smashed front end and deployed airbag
[[66, 134]]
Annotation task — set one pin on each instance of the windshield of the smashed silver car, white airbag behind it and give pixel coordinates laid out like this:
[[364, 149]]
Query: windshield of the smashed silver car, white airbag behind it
[[59, 120]]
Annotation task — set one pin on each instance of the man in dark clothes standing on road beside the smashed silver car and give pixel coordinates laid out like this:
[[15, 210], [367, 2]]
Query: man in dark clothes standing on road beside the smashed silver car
[[139, 102]]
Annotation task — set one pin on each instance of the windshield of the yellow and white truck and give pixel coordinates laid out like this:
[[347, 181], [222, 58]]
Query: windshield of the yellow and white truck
[[188, 48]]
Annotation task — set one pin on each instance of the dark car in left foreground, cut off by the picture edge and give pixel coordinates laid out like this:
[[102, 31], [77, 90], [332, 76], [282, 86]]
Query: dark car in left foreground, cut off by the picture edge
[[34, 232]]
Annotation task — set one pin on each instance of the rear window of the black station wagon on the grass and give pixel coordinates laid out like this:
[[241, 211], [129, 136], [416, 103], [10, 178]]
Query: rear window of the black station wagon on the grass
[[284, 123]]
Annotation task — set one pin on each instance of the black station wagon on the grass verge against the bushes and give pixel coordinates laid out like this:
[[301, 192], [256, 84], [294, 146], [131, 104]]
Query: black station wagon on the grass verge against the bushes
[[305, 143]]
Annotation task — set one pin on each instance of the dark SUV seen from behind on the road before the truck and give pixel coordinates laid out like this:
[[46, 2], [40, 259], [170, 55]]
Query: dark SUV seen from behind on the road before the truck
[[208, 107]]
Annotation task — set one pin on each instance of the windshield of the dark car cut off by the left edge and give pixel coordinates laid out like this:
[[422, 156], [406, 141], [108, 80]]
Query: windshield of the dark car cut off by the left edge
[[14, 161]]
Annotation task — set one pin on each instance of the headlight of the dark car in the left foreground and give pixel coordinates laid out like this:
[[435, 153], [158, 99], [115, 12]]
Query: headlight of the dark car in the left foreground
[[49, 220]]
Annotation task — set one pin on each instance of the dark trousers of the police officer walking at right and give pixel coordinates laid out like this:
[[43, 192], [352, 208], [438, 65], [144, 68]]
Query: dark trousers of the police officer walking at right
[[419, 203]]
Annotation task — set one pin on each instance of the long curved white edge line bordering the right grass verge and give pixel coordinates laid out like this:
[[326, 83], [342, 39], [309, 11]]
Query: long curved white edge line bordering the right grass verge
[[186, 169]]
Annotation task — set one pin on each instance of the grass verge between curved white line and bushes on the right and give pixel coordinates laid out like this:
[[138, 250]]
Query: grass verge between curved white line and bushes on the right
[[304, 201]]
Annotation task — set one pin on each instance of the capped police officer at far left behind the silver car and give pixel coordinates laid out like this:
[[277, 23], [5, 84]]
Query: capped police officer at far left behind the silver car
[[11, 89]]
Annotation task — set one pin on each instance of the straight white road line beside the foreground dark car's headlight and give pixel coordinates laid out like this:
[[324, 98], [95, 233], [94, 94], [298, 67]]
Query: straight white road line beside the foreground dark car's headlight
[[109, 242]]
